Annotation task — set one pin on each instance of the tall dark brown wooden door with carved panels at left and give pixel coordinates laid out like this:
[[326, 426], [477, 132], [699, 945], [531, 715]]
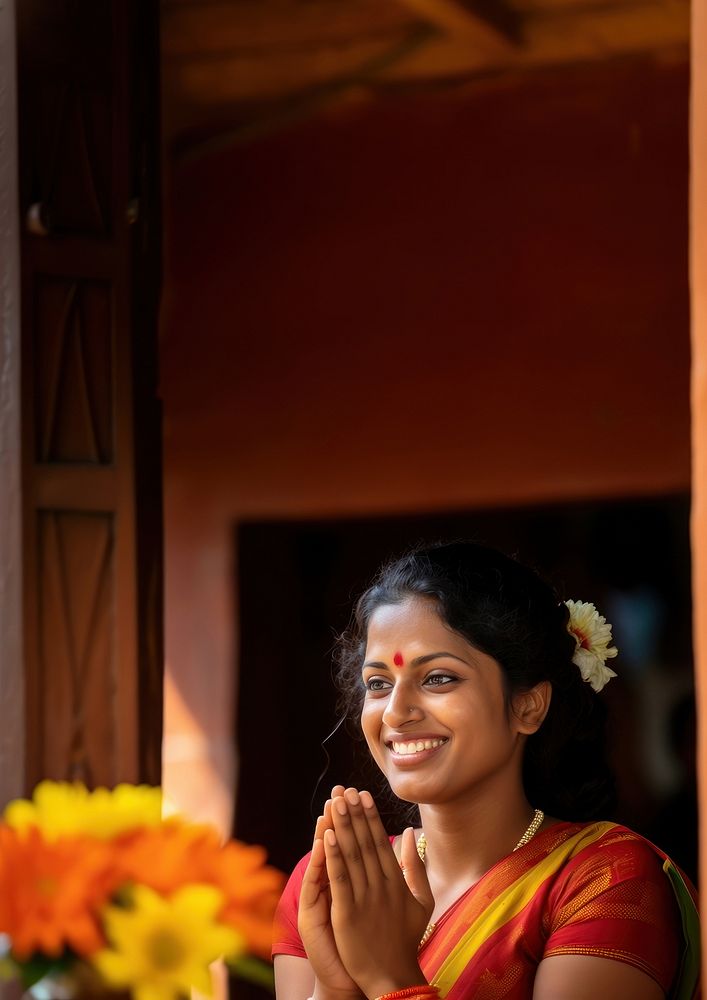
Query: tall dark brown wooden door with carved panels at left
[[88, 75]]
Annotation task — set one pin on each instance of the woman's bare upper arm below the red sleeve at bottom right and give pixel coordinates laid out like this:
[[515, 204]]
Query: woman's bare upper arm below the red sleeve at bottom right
[[582, 977]]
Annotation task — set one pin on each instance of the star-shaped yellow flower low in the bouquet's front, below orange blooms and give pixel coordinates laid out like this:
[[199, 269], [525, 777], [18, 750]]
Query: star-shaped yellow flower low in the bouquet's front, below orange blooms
[[161, 948]]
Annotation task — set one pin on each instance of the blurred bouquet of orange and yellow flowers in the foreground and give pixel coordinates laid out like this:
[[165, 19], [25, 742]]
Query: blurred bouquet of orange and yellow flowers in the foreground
[[97, 889]]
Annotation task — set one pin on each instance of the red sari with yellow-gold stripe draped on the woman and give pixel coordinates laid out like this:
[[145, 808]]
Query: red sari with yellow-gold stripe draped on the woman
[[576, 889]]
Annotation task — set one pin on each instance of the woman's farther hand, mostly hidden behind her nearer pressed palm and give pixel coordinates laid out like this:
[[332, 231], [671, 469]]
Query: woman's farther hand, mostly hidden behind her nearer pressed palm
[[314, 920]]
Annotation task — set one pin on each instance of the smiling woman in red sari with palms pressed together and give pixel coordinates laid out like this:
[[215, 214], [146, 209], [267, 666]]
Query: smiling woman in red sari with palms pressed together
[[477, 692]]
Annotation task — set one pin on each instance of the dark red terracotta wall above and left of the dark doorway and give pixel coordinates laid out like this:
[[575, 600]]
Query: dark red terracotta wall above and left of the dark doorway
[[426, 302]]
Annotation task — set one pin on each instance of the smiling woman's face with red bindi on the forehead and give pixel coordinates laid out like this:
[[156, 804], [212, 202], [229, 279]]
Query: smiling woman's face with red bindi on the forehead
[[434, 714]]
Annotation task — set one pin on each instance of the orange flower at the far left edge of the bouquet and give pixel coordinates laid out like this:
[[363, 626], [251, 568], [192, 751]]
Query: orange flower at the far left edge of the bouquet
[[50, 893]]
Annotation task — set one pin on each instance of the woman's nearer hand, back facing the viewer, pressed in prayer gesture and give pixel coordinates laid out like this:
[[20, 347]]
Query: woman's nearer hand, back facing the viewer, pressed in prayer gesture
[[378, 914]]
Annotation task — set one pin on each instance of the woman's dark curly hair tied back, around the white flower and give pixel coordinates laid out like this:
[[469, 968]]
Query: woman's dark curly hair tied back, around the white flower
[[503, 609]]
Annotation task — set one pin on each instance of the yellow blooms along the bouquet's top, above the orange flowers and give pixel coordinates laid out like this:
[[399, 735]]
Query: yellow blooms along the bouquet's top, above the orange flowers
[[59, 809]]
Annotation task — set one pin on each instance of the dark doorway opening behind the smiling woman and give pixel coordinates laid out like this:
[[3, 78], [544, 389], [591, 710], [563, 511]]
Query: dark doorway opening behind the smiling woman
[[297, 582]]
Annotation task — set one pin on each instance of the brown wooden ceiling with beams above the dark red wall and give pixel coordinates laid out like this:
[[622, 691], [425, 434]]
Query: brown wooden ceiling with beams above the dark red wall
[[261, 63]]
